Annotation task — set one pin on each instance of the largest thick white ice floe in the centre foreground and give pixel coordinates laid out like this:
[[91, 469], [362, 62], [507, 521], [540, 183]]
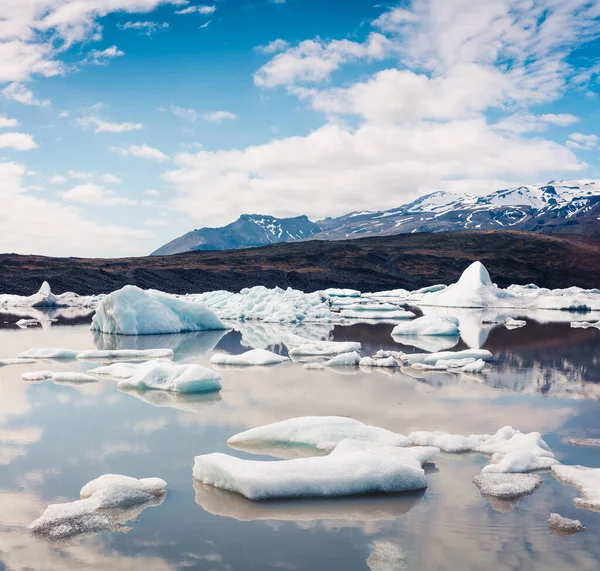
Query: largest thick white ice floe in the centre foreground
[[353, 467]]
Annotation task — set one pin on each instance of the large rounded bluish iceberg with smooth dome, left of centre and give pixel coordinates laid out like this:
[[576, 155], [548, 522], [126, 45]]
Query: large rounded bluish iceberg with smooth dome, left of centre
[[134, 311]]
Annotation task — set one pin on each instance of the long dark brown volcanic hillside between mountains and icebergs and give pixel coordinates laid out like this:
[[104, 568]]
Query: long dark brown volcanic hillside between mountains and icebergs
[[385, 262]]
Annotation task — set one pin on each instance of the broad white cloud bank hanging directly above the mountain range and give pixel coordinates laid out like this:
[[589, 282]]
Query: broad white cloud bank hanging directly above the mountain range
[[373, 166]]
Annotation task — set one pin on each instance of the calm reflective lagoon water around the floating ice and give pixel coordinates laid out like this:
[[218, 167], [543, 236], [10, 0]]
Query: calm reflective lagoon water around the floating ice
[[55, 438]]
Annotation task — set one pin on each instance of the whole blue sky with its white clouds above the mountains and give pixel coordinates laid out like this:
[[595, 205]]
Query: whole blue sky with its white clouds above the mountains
[[125, 123]]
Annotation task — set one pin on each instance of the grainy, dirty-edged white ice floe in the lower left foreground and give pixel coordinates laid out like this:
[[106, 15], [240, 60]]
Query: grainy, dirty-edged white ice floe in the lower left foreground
[[105, 505]]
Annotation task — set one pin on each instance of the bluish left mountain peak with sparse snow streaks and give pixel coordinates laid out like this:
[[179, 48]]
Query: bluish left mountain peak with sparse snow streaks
[[247, 231]]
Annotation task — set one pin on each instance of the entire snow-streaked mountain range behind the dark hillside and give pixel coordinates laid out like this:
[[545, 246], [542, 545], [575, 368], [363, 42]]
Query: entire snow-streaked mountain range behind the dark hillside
[[571, 207]]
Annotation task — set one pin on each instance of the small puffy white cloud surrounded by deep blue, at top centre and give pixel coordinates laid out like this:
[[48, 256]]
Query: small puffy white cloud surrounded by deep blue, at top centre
[[313, 61]]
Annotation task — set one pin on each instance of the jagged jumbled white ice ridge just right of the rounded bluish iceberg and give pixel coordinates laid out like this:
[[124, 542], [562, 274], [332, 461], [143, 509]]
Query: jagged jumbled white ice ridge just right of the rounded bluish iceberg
[[270, 305]]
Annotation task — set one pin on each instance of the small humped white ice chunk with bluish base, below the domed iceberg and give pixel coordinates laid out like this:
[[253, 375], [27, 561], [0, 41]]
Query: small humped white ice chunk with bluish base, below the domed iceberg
[[168, 376]]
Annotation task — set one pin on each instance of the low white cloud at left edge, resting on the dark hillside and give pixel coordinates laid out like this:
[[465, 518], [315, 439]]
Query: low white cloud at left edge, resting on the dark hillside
[[24, 220]]
